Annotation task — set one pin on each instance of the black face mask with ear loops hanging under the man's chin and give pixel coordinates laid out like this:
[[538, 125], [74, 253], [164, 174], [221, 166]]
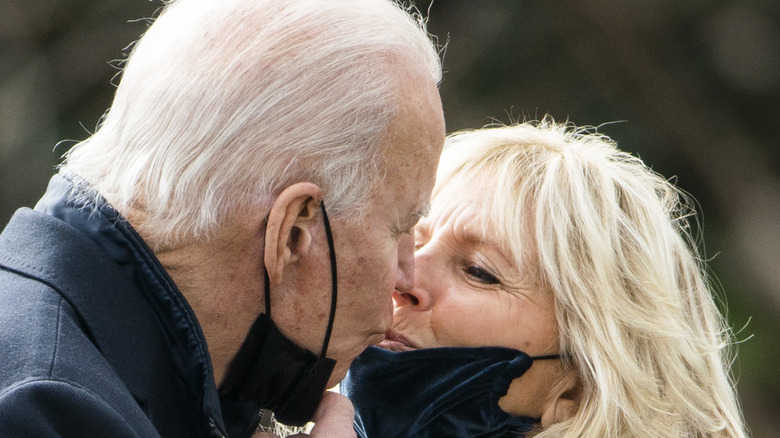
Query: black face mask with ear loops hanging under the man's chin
[[271, 372]]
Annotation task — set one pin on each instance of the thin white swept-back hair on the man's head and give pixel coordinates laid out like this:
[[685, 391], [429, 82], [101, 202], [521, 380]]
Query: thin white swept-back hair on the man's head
[[224, 103]]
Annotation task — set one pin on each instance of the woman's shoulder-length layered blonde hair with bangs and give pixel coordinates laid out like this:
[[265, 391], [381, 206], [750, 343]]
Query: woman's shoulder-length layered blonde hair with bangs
[[611, 240]]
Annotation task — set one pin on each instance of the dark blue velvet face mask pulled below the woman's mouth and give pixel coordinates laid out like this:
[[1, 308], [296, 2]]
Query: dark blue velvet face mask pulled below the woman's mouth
[[436, 392]]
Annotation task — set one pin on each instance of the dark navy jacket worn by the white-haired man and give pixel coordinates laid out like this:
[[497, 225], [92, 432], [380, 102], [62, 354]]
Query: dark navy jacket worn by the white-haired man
[[95, 338]]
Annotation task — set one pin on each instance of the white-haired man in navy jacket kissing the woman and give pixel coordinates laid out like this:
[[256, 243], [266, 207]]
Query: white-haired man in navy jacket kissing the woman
[[180, 273]]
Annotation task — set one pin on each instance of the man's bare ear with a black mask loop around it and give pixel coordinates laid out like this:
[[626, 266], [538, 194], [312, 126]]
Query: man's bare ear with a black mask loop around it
[[288, 233]]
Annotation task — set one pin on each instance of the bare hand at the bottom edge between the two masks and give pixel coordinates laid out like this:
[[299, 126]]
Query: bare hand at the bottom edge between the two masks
[[333, 419]]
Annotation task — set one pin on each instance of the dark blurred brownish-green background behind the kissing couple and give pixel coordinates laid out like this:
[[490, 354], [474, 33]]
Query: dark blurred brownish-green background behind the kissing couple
[[692, 87]]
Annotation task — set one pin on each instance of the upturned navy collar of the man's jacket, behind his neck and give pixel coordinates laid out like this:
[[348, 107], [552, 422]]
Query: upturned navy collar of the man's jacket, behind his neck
[[105, 250]]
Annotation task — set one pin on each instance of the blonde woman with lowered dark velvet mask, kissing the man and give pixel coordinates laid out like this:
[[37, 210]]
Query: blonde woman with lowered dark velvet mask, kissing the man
[[574, 263]]
